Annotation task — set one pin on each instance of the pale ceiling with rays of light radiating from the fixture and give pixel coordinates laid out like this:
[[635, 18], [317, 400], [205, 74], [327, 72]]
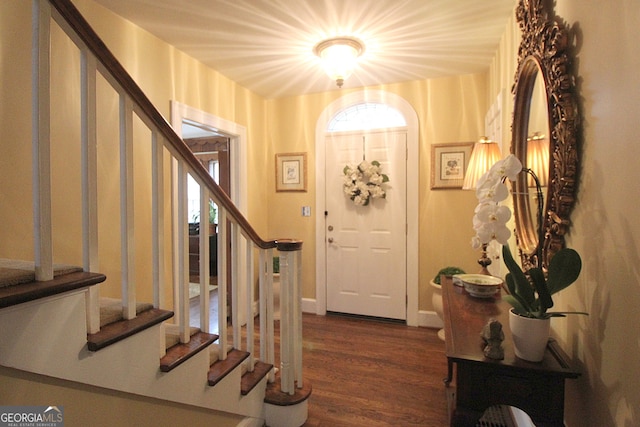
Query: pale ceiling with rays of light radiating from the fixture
[[267, 45]]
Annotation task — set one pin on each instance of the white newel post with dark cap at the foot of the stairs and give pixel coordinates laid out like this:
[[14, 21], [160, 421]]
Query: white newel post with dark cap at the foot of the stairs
[[290, 315]]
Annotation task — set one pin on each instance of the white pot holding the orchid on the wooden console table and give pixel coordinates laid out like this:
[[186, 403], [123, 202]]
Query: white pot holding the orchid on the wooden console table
[[530, 336]]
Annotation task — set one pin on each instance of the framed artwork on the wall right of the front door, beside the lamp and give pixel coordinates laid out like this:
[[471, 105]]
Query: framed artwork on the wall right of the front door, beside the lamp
[[449, 163]]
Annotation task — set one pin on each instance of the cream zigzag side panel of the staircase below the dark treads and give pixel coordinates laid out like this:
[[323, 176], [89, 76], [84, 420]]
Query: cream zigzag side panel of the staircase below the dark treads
[[49, 337]]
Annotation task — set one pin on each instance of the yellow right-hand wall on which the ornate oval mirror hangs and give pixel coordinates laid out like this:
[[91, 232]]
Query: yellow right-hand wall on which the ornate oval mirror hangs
[[605, 228]]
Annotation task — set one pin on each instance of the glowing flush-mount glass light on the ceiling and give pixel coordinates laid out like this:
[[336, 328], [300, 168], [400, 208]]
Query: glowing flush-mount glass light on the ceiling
[[339, 56]]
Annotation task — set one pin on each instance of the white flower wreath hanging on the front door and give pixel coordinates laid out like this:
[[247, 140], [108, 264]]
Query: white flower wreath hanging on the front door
[[364, 182]]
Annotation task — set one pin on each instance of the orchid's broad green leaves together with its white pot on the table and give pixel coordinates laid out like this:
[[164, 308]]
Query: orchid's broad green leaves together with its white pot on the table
[[530, 298]]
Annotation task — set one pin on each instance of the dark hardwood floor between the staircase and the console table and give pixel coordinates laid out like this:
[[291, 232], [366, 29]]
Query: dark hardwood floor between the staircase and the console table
[[373, 373]]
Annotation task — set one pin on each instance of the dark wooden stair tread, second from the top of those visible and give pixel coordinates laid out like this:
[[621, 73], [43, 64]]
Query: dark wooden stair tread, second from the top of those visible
[[122, 329]]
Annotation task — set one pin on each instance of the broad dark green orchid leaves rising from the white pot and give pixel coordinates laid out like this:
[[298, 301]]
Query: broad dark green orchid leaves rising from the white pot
[[530, 292]]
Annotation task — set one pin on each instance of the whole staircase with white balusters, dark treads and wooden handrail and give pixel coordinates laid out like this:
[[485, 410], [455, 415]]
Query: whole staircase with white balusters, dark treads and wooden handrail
[[61, 324]]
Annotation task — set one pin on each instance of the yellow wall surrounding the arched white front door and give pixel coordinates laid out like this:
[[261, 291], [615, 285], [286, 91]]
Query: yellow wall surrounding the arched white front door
[[449, 110]]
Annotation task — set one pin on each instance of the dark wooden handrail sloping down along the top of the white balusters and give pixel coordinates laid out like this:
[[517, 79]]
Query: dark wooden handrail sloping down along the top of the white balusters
[[76, 21]]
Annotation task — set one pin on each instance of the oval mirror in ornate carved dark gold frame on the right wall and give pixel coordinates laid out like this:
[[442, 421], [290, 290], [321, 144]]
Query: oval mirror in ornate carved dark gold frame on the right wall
[[545, 116]]
